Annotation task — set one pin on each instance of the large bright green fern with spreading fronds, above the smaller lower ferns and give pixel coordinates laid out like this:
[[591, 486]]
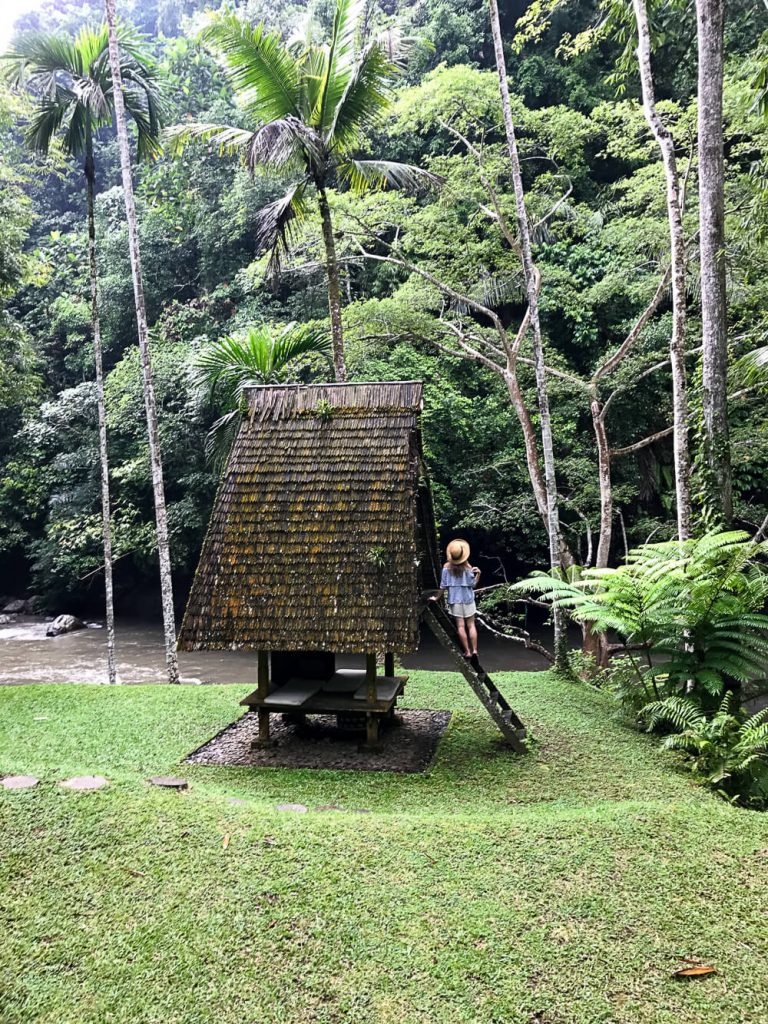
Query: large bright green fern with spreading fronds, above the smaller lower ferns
[[692, 610]]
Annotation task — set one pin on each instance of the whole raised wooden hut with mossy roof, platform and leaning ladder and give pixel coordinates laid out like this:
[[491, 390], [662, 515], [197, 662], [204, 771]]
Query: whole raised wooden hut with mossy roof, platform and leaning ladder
[[323, 542]]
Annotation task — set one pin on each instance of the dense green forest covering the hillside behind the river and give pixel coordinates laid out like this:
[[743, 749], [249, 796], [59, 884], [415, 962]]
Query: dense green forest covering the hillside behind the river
[[418, 269]]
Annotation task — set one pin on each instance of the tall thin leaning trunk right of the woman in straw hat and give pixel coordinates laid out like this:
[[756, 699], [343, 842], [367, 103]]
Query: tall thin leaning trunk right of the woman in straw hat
[[530, 272]]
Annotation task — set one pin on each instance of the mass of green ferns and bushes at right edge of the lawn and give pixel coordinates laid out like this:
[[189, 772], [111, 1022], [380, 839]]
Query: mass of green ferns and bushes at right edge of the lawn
[[692, 622]]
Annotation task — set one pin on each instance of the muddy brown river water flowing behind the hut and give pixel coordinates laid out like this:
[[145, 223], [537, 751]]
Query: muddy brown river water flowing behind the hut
[[27, 656]]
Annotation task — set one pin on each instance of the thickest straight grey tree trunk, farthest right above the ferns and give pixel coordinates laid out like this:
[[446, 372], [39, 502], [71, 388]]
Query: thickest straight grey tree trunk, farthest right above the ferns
[[710, 17]]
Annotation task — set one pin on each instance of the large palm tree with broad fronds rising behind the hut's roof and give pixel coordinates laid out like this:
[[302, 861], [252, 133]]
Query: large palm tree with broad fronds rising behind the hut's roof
[[312, 108]]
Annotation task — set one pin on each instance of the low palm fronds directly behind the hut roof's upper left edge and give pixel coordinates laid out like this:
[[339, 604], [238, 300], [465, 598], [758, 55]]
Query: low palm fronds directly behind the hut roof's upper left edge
[[225, 369]]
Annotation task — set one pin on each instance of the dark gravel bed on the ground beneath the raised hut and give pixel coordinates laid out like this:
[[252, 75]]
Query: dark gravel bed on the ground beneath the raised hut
[[320, 744]]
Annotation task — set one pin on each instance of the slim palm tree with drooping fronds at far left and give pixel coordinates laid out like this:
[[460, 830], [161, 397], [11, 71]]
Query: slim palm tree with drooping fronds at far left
[[72, 84]]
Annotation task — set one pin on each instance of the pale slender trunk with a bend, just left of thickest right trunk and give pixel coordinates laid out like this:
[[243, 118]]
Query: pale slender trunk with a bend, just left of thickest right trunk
[[677, 244]]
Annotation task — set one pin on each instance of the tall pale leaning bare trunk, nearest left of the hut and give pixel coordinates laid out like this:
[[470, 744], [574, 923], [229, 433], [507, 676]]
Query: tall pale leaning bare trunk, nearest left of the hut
[[161, 517]]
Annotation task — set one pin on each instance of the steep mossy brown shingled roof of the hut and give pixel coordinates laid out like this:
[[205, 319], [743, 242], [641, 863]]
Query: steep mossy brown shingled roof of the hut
[[314, 543]]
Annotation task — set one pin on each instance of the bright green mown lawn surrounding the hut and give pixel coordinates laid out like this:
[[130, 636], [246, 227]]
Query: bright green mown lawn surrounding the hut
[[562, 887]]
